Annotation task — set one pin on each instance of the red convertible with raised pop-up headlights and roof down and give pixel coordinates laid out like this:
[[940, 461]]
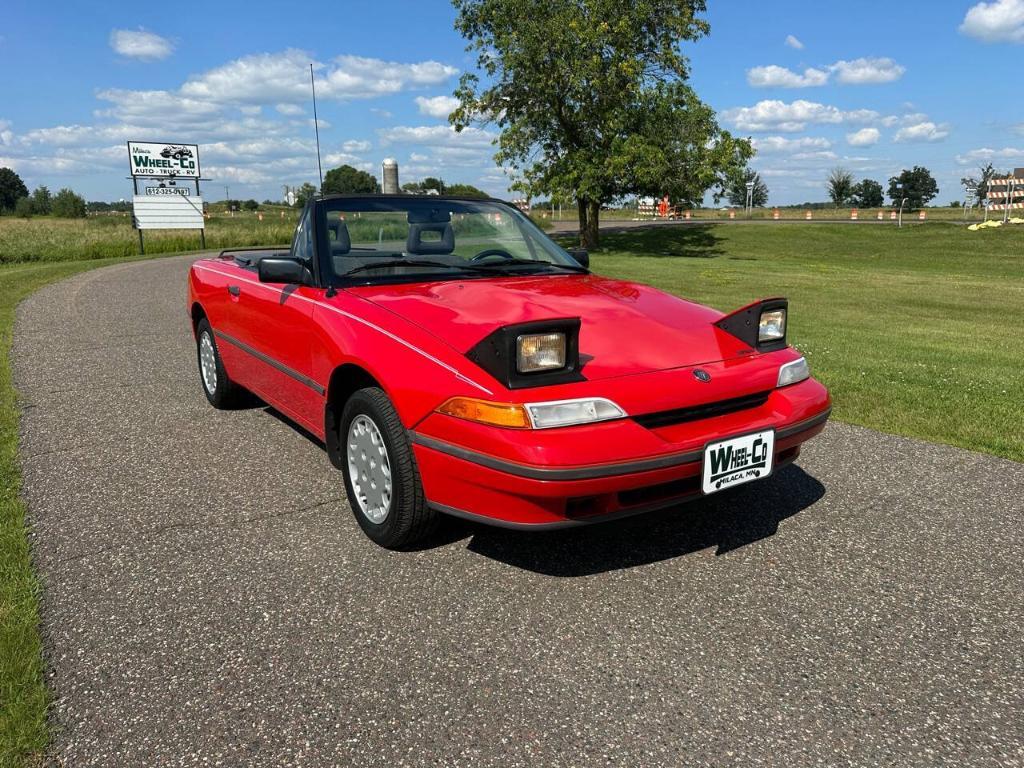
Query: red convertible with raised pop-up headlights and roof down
[[455, 360]]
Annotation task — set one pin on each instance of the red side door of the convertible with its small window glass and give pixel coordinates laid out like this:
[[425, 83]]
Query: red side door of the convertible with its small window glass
[[280, 332]]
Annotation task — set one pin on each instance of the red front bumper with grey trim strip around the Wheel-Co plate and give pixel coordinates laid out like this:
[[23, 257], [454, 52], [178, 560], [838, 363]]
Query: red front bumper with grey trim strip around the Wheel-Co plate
[[509, 492]]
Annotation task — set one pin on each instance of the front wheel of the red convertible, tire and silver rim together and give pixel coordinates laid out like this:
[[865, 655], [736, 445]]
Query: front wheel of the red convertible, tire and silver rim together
[[381, 477]]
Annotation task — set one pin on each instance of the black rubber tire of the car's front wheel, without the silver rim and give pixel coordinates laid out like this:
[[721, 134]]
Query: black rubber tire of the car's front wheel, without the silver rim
[[408, 519]]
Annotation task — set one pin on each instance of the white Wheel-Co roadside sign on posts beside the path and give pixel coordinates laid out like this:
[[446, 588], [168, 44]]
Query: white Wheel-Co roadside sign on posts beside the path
[[166, 205]]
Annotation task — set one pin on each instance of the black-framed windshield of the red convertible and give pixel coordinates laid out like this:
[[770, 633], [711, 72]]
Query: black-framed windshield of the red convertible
[[419, 238]]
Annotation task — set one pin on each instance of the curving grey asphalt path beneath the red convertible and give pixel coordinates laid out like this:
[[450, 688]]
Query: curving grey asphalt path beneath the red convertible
[[210, 602]]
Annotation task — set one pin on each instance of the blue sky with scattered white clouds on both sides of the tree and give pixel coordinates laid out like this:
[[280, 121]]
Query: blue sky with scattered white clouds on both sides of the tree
[[871, 87]]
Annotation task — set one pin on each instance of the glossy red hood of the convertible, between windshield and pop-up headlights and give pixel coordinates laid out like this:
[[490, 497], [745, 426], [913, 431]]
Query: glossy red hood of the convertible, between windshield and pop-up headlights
[[626, 328]]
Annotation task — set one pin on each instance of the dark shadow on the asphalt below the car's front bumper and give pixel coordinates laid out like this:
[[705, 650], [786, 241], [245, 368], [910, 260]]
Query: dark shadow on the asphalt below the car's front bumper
[[729, 522]]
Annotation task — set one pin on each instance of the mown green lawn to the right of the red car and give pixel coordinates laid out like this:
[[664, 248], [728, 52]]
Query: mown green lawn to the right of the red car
[[917, 331]]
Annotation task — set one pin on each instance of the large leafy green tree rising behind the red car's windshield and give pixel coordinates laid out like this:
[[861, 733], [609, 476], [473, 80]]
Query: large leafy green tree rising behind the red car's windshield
[[591, 99]]
